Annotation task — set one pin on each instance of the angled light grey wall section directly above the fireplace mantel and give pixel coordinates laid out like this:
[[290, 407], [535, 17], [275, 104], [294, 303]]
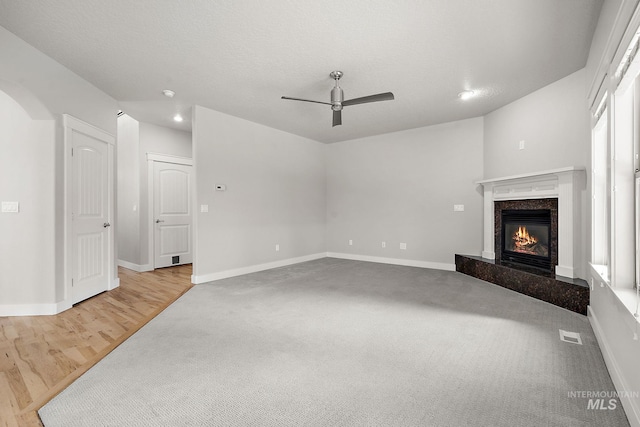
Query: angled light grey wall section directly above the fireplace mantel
[[553, 122]]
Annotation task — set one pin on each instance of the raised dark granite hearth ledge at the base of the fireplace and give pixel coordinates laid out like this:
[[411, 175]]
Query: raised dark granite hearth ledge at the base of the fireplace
[[572, 294]]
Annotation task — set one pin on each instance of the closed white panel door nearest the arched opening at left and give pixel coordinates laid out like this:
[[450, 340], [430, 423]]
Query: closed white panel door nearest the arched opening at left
[[90, 216]]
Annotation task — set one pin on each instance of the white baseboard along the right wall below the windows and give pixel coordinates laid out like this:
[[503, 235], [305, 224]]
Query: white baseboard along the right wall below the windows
[[629, 404]]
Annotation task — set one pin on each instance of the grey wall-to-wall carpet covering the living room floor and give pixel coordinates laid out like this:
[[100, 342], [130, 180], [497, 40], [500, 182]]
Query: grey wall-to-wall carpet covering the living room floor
[[346, 343]]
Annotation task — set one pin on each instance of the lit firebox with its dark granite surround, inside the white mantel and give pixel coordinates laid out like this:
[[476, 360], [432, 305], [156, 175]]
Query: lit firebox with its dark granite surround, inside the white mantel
[[526, 232]]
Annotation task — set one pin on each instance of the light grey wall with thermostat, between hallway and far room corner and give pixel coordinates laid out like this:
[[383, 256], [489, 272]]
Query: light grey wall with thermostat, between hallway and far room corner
[[275, 195]]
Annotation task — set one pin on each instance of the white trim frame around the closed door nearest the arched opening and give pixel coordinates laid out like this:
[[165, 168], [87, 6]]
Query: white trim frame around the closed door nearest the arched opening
[[70, 125]]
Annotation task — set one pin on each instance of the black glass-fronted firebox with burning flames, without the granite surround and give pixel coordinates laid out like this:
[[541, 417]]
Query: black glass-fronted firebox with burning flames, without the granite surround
[[526, 236]]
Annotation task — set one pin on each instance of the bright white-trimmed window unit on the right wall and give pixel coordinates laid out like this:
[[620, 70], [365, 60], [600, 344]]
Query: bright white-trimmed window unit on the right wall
[[615, 142]]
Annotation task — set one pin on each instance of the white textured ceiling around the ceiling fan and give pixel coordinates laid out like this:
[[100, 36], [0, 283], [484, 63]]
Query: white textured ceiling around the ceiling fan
[[240, 57]]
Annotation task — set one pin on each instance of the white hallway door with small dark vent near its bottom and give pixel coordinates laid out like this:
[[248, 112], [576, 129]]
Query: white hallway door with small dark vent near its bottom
[[172, 214]]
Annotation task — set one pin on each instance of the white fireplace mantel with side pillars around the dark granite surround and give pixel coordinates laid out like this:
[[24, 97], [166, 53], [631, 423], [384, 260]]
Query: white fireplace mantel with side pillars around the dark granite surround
[[565, 184]]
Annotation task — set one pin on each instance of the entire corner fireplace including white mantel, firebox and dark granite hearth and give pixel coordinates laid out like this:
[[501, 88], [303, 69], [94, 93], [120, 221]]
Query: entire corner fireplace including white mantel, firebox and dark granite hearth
[[558, 192]]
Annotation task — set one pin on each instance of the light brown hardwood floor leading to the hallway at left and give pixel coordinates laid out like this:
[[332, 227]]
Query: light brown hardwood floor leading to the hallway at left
[[41, 355]]
